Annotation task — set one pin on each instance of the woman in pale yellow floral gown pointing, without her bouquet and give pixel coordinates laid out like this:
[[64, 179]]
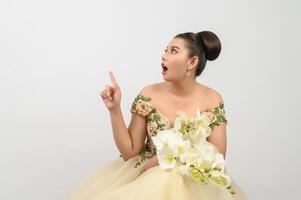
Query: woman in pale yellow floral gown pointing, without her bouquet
[[136, 174]]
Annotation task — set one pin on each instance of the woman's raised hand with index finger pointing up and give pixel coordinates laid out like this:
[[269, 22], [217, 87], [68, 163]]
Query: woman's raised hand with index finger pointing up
[[111, 95]]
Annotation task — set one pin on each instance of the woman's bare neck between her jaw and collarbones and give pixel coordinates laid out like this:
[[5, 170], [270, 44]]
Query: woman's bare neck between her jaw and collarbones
[[182, 88]]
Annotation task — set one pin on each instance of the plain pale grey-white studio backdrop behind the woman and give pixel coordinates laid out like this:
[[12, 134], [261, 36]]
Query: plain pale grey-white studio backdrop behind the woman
[[54, 57]]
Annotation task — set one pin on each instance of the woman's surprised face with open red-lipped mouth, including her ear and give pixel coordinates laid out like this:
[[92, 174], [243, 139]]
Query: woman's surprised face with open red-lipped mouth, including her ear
[[175, 61]]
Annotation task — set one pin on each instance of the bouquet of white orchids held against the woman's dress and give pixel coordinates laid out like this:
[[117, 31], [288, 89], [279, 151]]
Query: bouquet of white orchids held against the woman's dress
[[186, 146]]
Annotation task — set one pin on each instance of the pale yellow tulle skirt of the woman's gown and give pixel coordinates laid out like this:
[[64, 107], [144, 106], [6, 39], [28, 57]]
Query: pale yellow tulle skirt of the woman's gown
[[120, 180]]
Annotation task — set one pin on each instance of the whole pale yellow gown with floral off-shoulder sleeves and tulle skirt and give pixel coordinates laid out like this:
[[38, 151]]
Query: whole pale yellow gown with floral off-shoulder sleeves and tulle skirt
[[118, 179]]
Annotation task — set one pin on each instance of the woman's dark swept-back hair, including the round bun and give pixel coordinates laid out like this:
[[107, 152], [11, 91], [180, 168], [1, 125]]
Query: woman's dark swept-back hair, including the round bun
[[205, 45]]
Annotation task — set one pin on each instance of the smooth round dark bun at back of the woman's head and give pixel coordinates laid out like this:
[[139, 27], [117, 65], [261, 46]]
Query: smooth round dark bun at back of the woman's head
[[211, 44]]
